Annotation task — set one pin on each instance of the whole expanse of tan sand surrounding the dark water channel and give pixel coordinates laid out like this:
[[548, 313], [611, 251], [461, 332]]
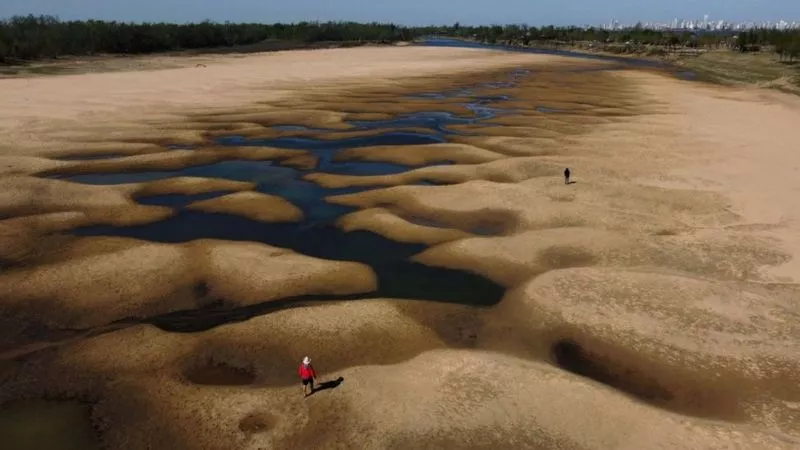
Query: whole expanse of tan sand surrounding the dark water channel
[[645, 296]]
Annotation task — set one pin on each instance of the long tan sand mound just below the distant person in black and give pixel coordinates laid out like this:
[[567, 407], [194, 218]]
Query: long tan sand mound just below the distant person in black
[[545, 203]]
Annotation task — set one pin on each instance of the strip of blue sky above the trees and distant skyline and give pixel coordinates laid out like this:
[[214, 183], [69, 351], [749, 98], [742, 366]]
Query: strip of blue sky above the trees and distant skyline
[[409, 12]]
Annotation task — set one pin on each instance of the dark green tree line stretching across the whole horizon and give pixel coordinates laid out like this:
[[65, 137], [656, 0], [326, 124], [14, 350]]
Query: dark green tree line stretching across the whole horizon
[[38, 37]]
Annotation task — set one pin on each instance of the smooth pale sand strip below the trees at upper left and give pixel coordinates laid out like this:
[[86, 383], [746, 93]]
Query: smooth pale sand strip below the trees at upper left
[[224, 82]]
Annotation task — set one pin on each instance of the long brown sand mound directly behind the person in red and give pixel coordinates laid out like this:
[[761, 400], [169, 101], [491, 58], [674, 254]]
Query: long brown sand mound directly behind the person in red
[[268, 347]]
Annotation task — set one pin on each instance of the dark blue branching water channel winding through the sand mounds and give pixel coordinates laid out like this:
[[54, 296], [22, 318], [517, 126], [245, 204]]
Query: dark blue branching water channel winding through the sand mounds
[[317, 235]]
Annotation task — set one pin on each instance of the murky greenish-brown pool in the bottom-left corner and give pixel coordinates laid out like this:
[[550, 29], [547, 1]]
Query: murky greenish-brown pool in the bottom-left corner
[[43, 424]]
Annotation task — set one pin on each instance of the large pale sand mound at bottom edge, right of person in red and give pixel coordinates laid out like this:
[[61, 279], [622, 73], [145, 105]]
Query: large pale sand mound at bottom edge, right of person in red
[[405, 409]]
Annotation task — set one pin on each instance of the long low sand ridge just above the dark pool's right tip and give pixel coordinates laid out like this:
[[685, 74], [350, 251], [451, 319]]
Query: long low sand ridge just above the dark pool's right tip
[[510, 260]]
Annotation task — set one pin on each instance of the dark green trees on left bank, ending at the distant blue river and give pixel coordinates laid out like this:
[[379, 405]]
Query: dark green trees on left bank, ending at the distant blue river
[[37, 37]]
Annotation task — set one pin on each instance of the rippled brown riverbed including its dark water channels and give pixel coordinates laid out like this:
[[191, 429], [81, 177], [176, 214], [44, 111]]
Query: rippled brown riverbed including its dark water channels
[[172, 272]]
